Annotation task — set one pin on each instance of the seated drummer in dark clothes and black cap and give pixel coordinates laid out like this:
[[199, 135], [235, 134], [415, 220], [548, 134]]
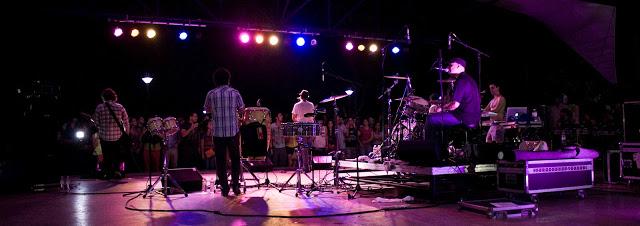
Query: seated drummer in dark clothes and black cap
[[462, 108]]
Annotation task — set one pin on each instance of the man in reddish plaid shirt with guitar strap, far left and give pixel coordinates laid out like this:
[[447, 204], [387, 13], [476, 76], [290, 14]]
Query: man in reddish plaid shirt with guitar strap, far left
[[109, 132]]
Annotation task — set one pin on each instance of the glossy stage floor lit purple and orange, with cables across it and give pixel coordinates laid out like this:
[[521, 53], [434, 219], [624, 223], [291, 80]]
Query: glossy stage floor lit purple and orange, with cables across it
[[87, 205]]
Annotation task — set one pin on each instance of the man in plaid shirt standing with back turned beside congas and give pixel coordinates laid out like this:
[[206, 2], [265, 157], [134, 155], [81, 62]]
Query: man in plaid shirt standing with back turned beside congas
[[225, 105]]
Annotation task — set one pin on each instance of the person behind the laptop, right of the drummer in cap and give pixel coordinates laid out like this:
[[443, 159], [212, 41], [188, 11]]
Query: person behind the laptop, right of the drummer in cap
[[497, 105]]
